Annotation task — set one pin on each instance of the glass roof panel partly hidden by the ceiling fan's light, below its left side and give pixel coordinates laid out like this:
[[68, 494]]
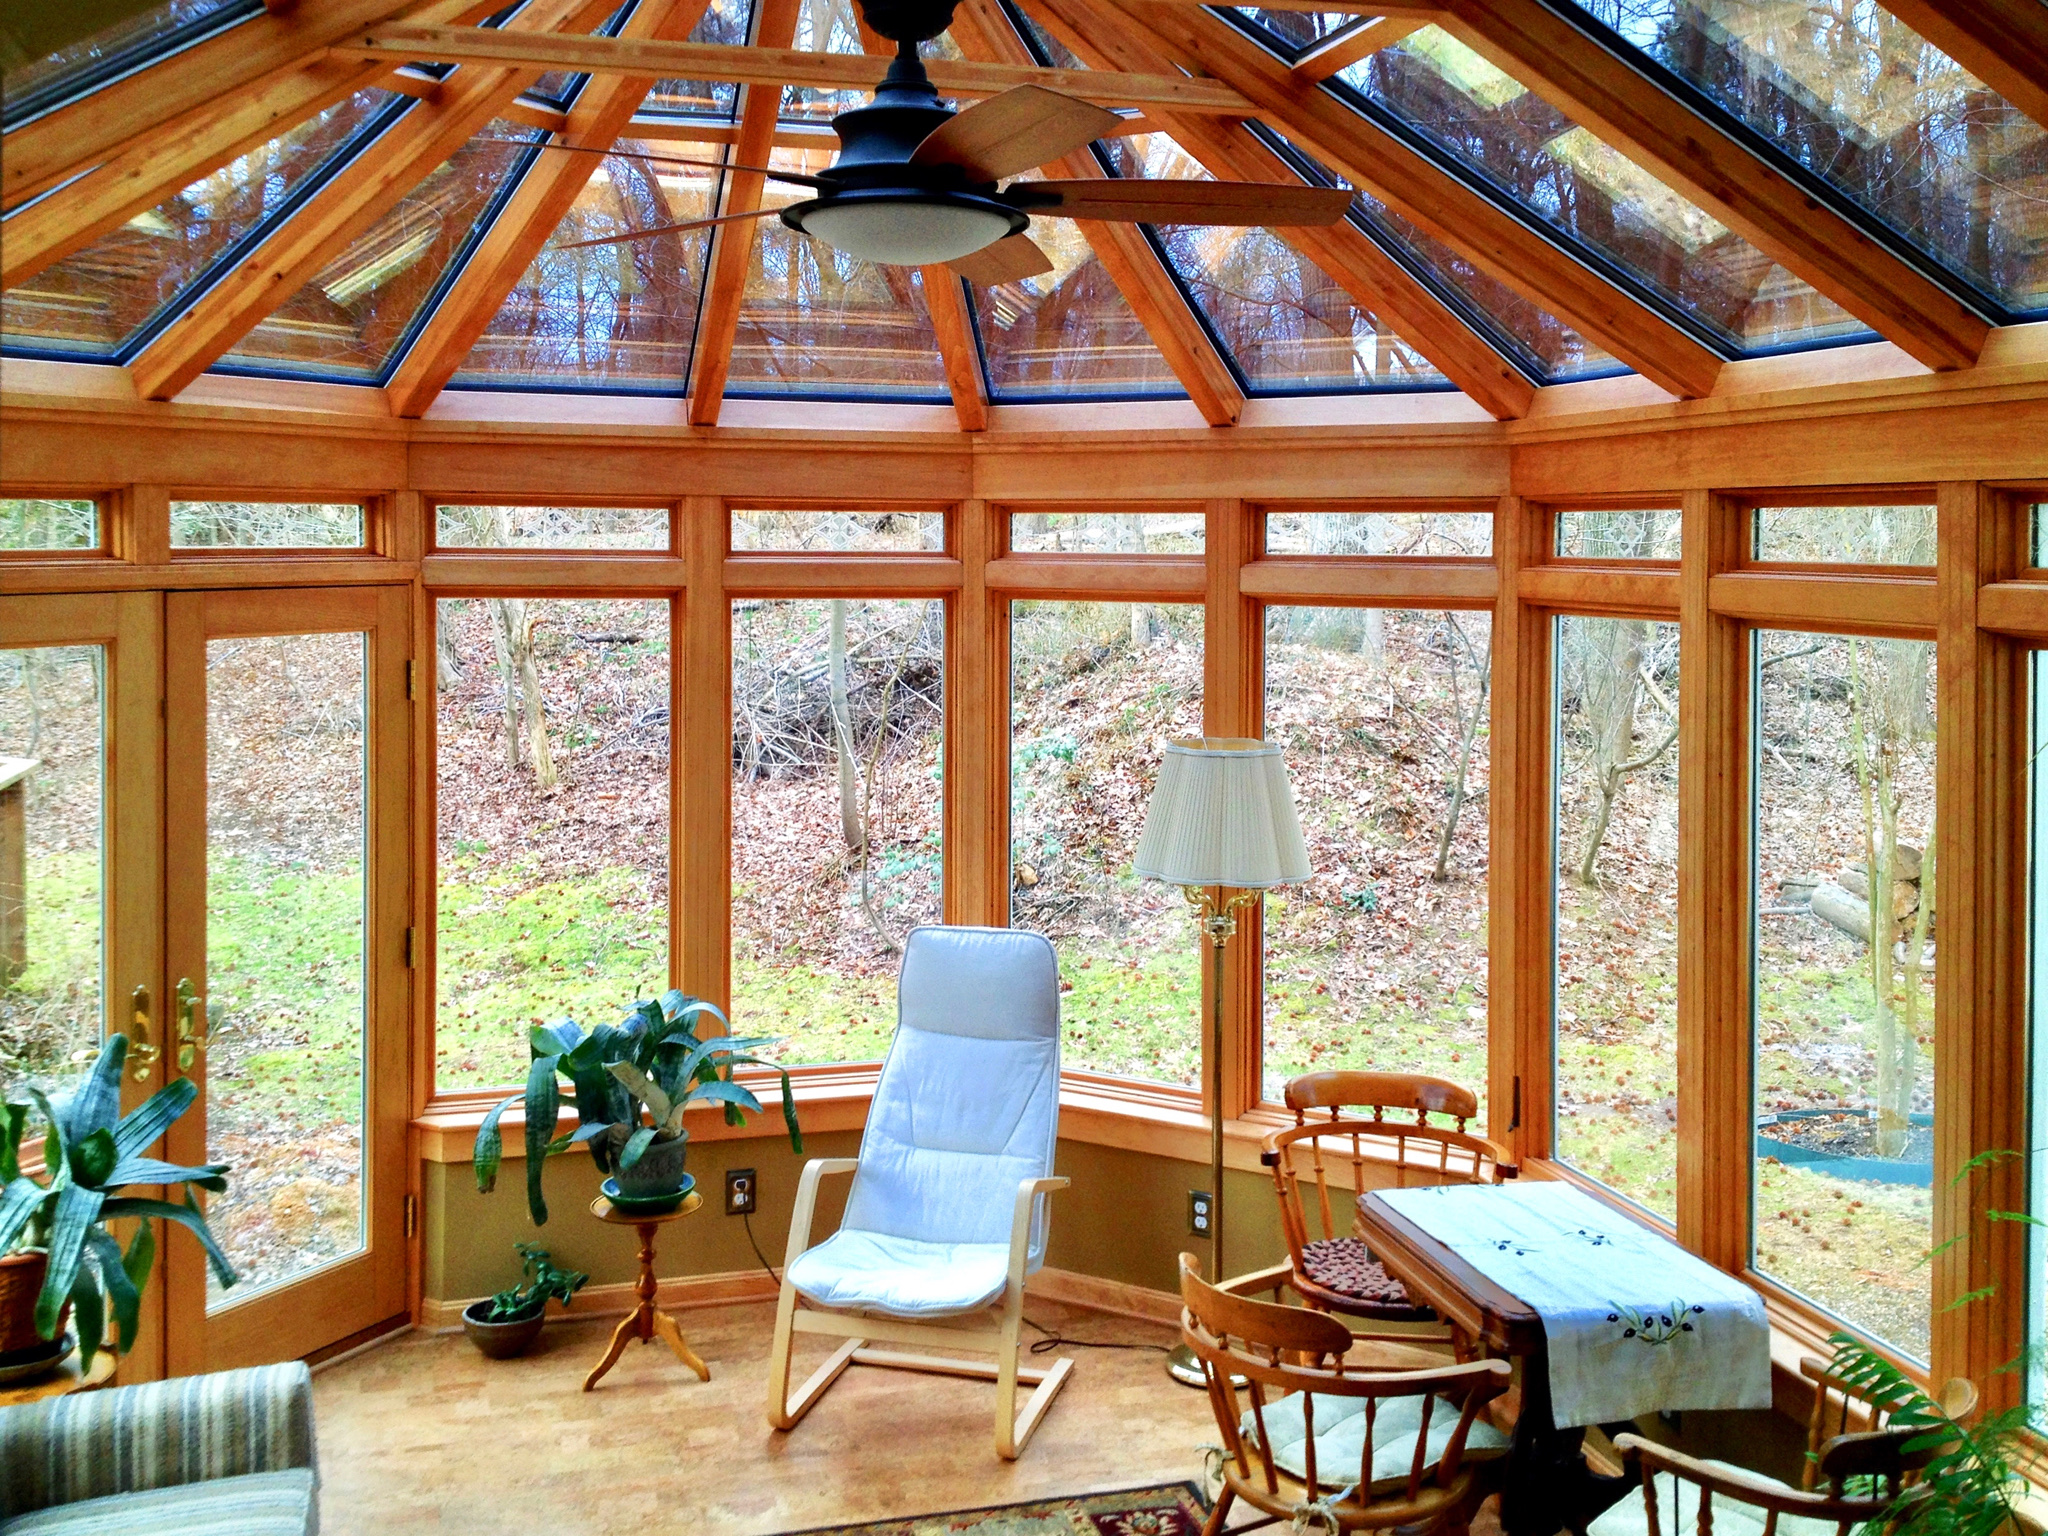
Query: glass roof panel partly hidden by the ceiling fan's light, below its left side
[[820, 323]]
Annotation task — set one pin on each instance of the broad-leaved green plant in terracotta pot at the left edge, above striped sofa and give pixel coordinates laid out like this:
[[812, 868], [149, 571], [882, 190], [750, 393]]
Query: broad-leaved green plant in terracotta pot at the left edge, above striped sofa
[[91, 1152]]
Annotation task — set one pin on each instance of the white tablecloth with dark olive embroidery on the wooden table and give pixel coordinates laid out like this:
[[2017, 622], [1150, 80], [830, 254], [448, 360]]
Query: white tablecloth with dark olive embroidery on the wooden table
[[1635, 1324]]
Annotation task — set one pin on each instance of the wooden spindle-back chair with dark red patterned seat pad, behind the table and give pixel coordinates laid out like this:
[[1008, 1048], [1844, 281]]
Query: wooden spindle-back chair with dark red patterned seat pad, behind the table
[[1334, 1271]]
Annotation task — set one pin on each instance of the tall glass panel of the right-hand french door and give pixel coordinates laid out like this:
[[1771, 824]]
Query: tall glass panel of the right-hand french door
[[286, 919]]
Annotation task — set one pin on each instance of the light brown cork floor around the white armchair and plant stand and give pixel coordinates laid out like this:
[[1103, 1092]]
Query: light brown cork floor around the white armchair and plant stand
[[425, 1435]]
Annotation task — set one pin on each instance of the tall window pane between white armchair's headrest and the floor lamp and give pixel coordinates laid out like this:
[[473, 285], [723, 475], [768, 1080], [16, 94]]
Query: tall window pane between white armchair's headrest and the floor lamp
[[1097, 689]]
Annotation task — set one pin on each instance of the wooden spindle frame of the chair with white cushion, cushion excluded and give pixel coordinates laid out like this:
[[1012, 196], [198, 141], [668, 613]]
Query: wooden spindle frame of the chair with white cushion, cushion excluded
[[1271, 1353]]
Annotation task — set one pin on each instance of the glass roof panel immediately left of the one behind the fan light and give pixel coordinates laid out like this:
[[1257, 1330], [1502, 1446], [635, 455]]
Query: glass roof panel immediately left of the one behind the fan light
[[609, 316]]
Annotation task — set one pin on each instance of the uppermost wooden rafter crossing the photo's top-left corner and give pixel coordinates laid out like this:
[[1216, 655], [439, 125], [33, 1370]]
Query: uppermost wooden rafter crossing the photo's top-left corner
[[93, 128]]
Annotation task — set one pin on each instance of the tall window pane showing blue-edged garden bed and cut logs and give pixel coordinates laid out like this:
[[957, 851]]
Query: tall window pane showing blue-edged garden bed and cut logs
[[1844, 1027]]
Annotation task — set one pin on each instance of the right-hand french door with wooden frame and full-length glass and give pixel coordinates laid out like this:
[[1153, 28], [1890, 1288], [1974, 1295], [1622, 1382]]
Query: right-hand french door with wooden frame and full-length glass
[[286, 990]]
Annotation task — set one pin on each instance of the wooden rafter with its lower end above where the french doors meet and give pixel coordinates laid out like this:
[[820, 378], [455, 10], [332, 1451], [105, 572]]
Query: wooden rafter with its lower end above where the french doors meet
[[361, 194]]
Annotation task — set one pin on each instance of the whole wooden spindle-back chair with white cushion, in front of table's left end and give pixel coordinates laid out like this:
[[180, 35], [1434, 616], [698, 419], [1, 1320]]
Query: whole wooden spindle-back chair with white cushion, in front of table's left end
[[1426, 1453]]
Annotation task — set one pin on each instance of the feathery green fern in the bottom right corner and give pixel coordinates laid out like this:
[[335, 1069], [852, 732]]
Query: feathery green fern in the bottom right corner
[[1973, 1480]]
